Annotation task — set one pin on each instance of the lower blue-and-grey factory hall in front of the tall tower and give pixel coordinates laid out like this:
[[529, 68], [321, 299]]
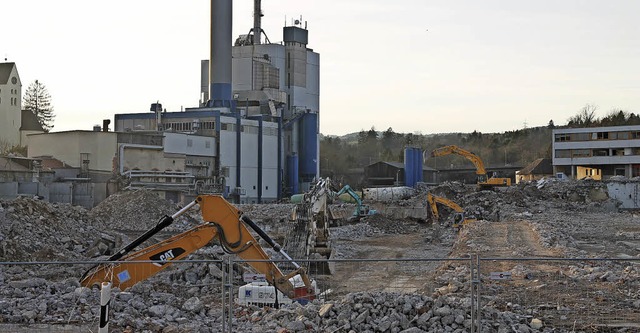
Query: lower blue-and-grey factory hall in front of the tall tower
[[240, 159]]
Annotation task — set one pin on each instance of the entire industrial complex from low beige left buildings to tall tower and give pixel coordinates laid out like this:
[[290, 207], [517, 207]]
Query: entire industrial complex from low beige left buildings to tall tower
[[254, 136]]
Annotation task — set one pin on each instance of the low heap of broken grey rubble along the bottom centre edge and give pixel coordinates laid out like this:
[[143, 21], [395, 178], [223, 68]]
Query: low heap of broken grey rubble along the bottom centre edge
[[380, 312]]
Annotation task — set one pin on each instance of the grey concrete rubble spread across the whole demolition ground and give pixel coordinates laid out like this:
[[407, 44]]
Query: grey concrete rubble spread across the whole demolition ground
[[563, 219]]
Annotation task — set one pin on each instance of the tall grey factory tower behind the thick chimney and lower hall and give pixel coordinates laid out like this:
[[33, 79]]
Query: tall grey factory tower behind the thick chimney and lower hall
[[281, 80]]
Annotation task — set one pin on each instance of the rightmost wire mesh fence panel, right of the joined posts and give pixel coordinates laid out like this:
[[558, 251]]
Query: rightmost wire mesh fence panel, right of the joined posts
[[571, 294]]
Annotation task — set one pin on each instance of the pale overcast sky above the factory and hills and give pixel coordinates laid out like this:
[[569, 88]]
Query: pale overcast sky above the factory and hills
[[416, 66]]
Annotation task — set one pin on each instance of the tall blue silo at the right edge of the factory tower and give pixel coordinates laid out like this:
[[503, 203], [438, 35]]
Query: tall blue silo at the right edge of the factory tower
[[308, 146]]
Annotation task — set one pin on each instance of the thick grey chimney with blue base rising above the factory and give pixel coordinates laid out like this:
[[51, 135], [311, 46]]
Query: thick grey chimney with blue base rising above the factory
[[220, 57]]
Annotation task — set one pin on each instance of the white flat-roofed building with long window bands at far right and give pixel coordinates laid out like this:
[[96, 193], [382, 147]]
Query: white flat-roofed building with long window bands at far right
[[597, 152]]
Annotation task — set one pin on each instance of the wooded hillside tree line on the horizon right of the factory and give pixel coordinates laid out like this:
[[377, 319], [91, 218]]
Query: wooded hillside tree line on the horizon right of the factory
[[344, 157]]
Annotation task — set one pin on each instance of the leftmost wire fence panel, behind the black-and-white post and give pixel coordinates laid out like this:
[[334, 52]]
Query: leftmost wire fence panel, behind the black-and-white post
[[46, 297]]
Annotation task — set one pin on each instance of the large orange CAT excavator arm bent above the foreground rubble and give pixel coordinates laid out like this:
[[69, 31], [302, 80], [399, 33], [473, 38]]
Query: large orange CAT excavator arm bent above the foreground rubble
[[222, 221]]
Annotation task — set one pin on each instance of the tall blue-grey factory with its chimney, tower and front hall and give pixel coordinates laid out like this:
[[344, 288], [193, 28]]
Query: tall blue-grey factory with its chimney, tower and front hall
[[260, 102]]
